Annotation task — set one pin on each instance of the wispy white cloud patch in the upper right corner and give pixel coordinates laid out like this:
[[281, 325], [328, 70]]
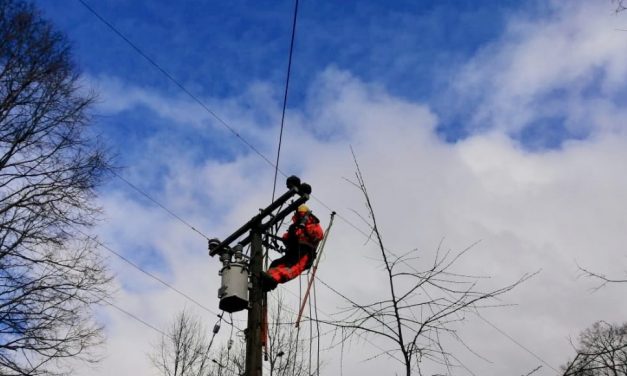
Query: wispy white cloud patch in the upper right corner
[[575, 49]]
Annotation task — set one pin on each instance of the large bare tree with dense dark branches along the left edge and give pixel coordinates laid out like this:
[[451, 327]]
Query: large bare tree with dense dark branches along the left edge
[[50, 274]]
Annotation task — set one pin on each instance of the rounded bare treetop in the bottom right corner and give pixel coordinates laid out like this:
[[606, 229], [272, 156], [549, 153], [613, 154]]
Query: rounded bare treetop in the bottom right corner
[[602, 351]]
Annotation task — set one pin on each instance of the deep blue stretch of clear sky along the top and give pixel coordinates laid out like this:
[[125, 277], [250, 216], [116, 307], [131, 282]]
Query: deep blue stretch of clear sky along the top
[[412, 49]]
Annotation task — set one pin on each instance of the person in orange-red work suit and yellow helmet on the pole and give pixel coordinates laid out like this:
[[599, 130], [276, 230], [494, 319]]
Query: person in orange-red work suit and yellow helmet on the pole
[[301, 241]]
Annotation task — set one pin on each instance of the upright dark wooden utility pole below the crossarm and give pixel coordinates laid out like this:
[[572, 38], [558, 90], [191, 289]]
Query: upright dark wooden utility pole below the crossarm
[[253, 332]]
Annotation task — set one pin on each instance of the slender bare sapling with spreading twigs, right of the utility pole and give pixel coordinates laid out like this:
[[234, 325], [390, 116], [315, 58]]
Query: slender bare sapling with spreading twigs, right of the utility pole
[[422, 305]]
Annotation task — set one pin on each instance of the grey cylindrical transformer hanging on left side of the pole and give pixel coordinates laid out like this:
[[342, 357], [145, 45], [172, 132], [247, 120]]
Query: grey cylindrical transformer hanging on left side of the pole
[[233, 293]]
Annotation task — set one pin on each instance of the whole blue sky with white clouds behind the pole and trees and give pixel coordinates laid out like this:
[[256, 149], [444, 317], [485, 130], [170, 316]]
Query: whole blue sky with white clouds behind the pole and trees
[[494, 121]]
